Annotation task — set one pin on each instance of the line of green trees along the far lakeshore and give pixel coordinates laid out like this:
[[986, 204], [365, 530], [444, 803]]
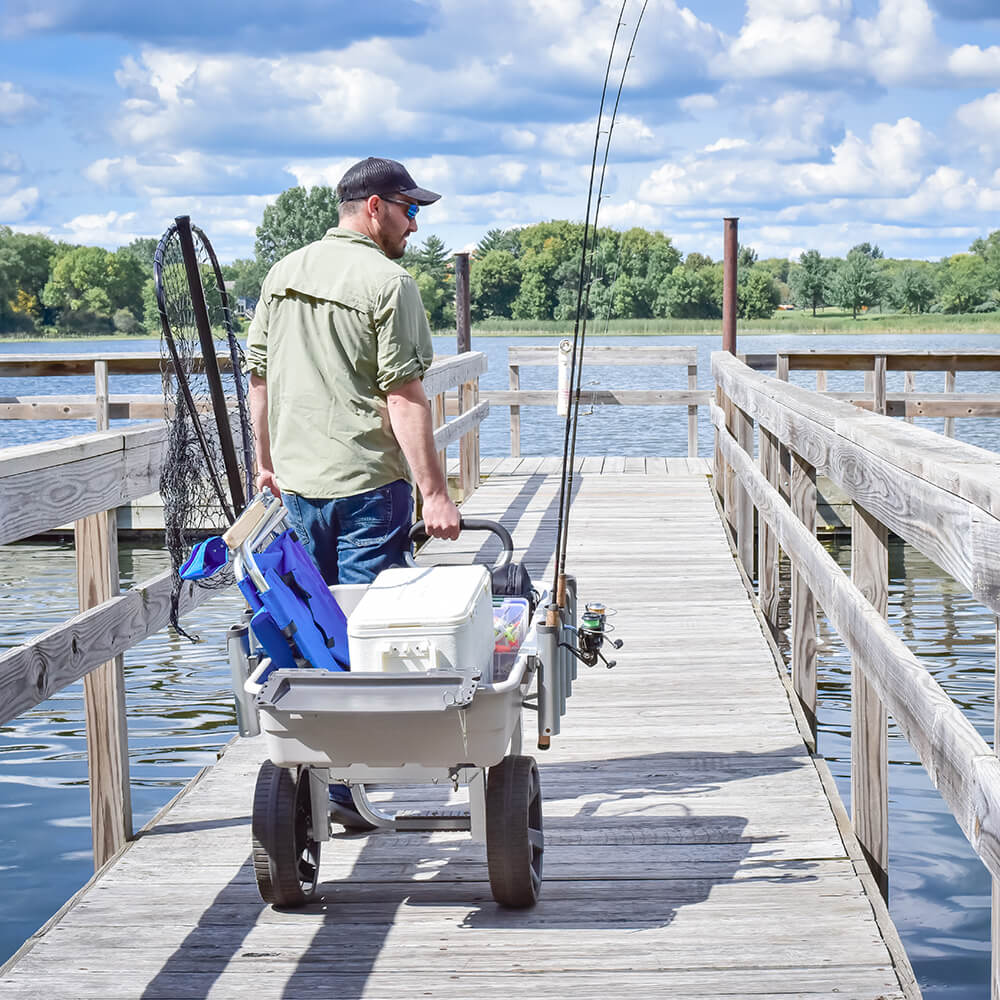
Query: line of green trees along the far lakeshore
[[528, 273]]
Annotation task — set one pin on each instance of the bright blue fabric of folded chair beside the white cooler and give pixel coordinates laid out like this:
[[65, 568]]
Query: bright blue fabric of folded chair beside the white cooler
[[297, 620]]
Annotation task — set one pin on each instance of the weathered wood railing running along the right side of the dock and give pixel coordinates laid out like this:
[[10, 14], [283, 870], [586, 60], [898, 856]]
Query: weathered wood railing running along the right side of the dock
[[939, 495]]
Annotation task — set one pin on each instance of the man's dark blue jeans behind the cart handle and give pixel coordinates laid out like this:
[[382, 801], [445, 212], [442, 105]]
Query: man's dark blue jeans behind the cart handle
[[354, 538]]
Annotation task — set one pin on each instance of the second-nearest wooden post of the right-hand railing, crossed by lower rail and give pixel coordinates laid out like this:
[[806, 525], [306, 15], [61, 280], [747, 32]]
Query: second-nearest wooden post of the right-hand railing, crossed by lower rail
[[869, 732]]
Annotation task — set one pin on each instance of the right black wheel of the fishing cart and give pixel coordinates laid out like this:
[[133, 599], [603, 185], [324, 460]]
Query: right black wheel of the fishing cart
[[514, 838]]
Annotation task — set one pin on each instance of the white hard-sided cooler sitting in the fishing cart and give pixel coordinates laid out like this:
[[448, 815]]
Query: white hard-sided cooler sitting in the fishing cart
[[425, 618]]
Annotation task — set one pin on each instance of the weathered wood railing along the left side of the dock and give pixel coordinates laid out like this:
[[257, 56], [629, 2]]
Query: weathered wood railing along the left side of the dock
[[82, 480]]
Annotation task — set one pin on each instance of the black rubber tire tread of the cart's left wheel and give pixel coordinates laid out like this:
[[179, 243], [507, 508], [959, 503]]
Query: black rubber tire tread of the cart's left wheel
[[275, 859]]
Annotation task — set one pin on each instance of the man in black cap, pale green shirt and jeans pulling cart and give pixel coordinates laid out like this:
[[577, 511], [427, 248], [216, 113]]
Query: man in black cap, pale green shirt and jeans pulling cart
[[336, 350]]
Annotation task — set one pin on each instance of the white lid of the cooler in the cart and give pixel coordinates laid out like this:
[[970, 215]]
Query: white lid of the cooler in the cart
[[418, 597]]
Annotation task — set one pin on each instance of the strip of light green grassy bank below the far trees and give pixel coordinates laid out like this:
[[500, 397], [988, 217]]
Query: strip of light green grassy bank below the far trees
[[790, 322]]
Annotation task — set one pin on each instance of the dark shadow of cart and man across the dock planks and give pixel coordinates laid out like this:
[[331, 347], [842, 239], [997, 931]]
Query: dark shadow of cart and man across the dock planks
[[626, 850]]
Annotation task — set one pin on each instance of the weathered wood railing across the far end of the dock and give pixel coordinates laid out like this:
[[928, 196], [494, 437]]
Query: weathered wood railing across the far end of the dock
[[516, 397]]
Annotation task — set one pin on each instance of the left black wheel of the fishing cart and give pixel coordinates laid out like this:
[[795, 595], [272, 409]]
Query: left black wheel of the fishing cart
[[285, 855]]
